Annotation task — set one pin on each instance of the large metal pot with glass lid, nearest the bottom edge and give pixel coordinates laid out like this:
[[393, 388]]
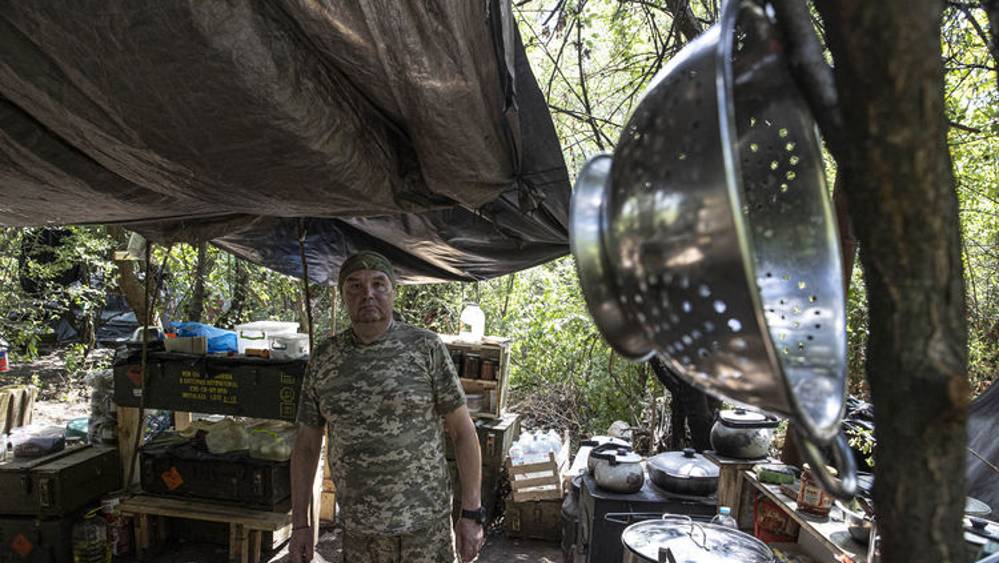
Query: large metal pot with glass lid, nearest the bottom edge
[[689, 542]]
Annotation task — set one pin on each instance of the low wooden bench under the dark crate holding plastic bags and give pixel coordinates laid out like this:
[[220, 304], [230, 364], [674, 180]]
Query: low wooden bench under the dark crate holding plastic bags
[[245, 525]]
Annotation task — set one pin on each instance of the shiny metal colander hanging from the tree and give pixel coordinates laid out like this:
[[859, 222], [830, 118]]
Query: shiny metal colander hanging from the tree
[[711, 239]]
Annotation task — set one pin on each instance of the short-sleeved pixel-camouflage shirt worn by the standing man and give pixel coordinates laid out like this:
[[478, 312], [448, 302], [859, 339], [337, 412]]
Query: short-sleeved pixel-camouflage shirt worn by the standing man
[[385, 402]]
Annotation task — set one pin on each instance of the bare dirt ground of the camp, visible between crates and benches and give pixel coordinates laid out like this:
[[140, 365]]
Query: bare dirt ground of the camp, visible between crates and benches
[[63, 397]]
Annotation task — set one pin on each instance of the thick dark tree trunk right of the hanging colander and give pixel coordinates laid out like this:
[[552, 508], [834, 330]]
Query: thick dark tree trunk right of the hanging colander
[[897, 173]]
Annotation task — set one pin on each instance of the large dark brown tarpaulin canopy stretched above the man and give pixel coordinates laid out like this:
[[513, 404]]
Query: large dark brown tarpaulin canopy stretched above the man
[[414, 128]]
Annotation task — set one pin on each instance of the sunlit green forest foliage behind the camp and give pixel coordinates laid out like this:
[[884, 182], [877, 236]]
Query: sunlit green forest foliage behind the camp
[[593, 60]]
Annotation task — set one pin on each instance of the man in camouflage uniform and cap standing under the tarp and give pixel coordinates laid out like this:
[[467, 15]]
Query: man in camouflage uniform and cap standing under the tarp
[[386, 387]]
